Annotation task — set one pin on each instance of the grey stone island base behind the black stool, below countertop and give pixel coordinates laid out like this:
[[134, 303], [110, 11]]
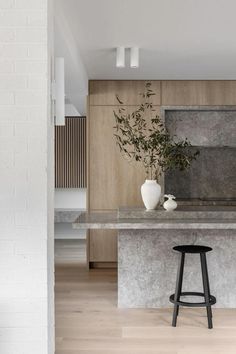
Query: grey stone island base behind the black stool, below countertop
[[147, 266]]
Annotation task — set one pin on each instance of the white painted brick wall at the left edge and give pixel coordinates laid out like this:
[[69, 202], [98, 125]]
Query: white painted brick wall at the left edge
[[26, 141]]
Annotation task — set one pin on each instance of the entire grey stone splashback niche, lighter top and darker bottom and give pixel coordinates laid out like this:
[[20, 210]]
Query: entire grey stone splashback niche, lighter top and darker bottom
[[213, 132]]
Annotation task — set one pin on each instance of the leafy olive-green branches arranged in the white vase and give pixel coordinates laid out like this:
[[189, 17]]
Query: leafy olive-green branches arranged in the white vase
[[141, 136]]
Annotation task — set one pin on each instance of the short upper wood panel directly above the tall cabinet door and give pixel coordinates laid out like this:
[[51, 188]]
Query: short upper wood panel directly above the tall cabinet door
[[104, 92]]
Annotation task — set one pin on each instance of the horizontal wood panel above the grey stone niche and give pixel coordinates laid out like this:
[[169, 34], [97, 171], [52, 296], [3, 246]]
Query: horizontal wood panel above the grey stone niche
[[198, 93]]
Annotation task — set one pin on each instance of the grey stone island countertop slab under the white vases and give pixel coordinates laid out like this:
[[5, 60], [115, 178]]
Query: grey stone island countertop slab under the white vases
[[185, 217]]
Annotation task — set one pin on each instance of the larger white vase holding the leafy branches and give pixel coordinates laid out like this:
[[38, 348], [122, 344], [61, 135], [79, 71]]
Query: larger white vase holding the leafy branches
[[151, 193]]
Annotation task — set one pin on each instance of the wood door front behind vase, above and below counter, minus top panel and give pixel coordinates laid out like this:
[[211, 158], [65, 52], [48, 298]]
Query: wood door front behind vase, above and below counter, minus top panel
[[113, 181]]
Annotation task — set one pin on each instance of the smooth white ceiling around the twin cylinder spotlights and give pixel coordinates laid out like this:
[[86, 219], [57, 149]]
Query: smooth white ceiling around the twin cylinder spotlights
[[178, 39]]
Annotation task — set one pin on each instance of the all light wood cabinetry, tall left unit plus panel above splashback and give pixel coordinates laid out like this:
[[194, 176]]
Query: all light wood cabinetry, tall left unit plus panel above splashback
[[113, 181]]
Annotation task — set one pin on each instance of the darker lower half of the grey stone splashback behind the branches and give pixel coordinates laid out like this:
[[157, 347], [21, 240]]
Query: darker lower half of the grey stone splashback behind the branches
[[211, 176]]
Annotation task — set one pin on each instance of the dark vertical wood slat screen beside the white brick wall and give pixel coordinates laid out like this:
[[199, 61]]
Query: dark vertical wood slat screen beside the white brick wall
[[70, 154]]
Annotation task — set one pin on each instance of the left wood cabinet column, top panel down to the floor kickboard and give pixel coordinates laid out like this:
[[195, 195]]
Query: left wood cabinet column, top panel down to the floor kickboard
[[113, 181]]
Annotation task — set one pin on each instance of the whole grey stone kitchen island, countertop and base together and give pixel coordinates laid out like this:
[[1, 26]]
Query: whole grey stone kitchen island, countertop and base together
[[147, 264]]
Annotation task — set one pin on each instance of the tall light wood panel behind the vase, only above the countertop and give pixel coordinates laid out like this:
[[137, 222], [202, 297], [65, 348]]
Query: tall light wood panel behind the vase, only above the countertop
[[113, 180]]
